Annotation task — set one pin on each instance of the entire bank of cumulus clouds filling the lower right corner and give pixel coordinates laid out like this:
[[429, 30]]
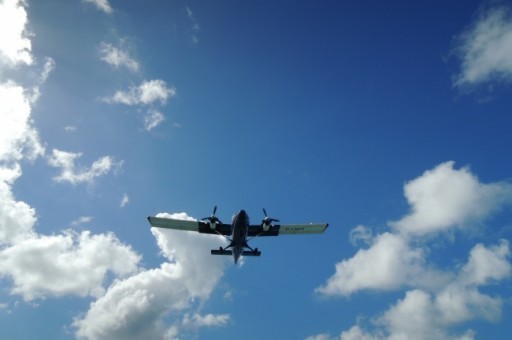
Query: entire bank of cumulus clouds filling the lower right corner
[[437, 300]]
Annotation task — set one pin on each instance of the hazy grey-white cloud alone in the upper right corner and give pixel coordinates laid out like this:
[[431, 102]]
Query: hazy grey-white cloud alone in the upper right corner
[[486, 48]]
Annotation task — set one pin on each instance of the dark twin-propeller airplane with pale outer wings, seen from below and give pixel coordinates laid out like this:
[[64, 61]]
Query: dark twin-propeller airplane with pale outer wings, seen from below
[[238, 231]]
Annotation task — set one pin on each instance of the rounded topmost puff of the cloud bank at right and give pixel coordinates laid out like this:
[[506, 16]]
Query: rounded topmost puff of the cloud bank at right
[[445, 198]]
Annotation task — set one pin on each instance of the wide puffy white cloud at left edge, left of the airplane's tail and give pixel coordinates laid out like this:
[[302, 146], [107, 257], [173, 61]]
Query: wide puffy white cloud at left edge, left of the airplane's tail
[[65, 264]]
